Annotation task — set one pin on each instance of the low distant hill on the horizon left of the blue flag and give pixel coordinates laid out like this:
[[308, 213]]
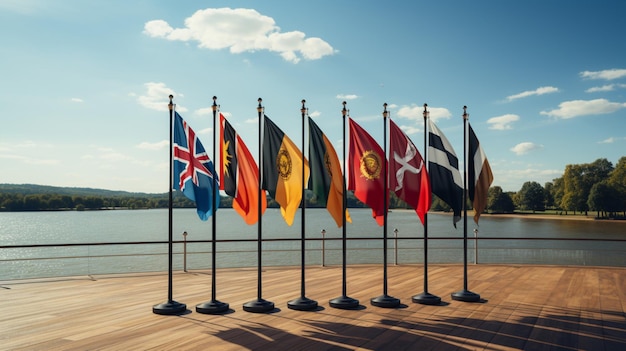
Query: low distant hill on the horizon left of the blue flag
[[28, 189]]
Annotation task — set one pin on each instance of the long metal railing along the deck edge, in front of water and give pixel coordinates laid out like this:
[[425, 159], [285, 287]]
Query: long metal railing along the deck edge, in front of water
[[53, 260]]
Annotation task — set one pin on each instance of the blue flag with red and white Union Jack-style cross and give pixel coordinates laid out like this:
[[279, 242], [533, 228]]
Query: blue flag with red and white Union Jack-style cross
[[194, 174]]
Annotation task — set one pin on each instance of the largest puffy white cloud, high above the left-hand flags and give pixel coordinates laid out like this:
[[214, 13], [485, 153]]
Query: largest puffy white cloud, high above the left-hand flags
[[241, 30]]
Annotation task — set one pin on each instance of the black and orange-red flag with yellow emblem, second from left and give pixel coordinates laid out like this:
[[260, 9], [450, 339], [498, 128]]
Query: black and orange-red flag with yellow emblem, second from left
[[239, 174]]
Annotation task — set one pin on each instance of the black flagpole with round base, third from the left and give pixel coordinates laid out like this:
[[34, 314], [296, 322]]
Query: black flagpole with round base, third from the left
[[259, 305]]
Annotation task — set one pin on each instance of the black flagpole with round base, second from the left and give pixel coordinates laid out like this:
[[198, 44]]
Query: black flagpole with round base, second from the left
[[214, 306]]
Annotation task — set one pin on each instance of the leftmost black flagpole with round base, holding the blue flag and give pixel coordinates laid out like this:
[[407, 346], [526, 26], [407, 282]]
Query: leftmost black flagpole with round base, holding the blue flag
[[170, 307]]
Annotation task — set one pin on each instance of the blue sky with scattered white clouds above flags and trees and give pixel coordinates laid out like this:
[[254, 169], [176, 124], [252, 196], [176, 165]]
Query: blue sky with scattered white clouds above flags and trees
[[85, 84]]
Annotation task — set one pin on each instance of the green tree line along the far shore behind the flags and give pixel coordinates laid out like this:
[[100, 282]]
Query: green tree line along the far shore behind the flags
[[598, 187]]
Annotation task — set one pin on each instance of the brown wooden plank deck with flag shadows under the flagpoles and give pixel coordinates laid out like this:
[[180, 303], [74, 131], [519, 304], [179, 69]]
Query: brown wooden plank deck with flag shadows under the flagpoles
[[522, 308]]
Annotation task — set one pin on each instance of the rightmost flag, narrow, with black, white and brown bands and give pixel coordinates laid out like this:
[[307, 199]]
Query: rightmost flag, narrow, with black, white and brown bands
[[479, 176]]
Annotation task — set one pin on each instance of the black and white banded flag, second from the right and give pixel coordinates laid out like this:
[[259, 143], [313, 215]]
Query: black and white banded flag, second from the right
[[443, 168]]
